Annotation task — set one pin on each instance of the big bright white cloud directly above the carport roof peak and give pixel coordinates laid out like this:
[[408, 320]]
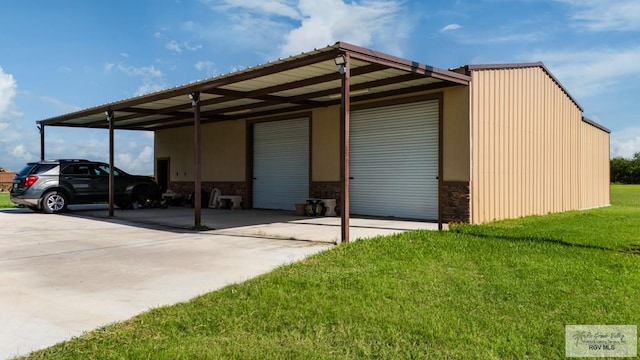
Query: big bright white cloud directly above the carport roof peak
[[300, 25]]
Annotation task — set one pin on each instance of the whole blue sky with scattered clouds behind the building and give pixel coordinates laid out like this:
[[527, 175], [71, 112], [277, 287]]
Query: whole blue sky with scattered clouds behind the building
[[61, 56]]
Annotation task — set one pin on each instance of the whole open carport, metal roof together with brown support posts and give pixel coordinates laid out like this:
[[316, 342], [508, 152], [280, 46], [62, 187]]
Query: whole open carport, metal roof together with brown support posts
[[341, 74]]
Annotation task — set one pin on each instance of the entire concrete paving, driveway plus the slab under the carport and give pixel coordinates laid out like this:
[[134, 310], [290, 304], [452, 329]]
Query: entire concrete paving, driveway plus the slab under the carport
[[62, 275]]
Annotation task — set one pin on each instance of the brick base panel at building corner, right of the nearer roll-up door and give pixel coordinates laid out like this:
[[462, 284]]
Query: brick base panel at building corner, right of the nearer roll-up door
[[454, 201]]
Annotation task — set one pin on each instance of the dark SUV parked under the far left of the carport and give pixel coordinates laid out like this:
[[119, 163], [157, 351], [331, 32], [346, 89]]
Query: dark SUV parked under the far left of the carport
[[51, 185]]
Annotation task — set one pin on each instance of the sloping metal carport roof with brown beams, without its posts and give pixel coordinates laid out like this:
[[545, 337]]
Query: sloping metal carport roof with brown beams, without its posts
[[297, 83]]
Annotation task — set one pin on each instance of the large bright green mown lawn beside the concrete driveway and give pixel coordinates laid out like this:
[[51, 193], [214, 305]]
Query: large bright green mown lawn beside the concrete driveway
[[504, 290]]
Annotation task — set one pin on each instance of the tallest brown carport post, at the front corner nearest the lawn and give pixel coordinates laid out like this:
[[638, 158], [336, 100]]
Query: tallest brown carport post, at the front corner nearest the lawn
[[345, 110]]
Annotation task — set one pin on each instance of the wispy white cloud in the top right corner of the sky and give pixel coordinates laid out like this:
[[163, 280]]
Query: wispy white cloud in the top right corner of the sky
[[606, 15]]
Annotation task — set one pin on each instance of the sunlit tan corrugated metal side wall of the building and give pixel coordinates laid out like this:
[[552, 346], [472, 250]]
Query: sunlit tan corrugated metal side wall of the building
[[527, 137]]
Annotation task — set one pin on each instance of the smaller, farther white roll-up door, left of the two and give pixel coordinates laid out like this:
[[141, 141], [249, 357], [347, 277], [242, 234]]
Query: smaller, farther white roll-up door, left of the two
[[280, 164]]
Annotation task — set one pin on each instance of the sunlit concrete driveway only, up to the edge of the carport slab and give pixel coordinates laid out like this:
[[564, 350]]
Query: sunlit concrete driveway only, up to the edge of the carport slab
[[63, 275]]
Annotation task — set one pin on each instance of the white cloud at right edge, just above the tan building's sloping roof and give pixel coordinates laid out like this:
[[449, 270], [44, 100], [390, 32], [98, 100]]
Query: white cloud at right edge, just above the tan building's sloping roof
[[591, 72]]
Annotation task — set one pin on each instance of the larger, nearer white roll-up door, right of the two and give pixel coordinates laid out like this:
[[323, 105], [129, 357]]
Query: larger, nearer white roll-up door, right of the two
[[394, 161]]
